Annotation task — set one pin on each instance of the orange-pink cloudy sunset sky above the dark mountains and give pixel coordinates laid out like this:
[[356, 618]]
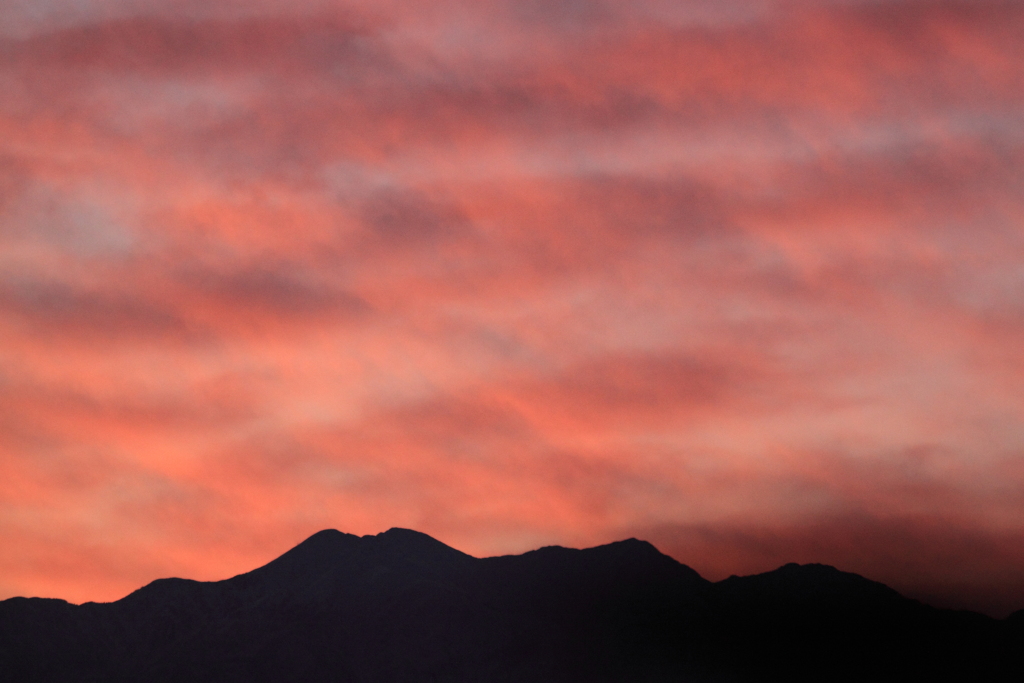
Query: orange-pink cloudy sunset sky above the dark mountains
[[742, 278]]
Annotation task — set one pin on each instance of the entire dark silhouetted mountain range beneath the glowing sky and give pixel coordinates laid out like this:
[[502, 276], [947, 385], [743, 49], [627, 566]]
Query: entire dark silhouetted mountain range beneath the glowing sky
[[404, 608]]
